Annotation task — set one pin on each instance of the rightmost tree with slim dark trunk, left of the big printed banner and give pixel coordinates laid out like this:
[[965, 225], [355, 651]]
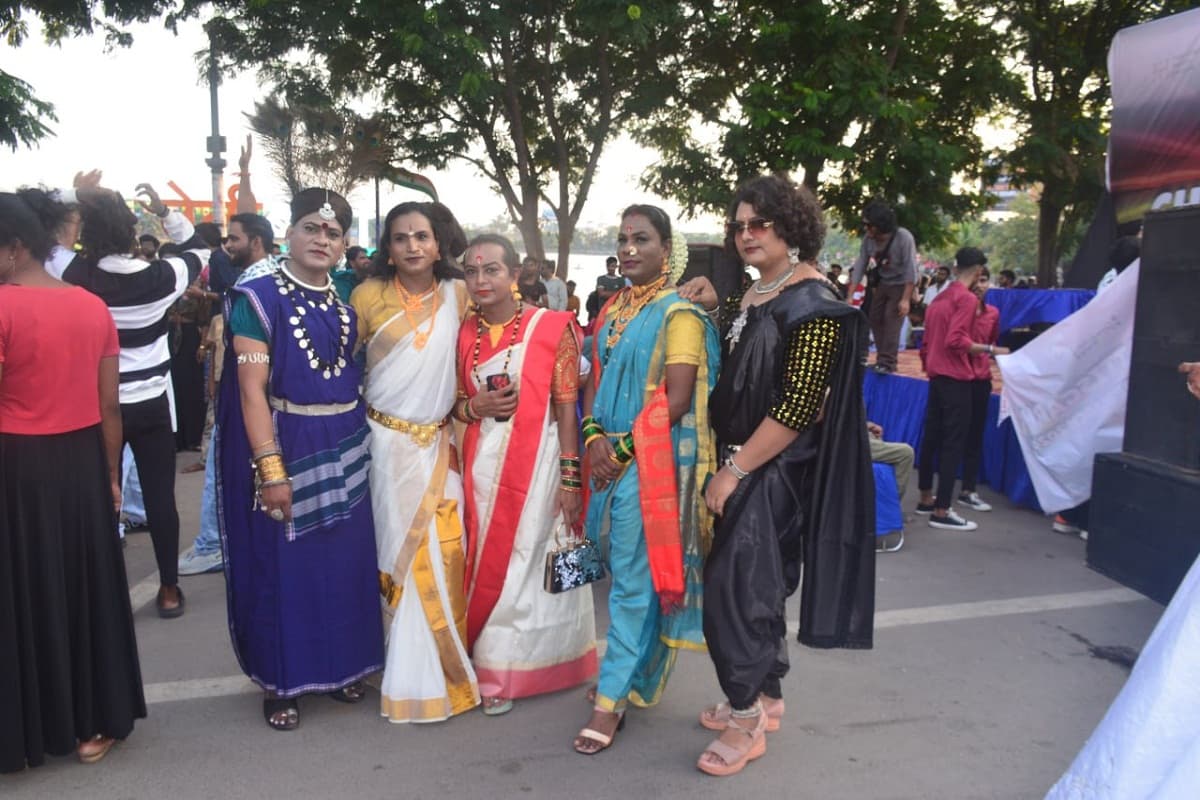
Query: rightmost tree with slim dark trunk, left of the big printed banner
[[1064, 111]]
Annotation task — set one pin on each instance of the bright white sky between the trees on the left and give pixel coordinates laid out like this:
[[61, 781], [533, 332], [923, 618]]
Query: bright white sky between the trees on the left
[[142, 115]]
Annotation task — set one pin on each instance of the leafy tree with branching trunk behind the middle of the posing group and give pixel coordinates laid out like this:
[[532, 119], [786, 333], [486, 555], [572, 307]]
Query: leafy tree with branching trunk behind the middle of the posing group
[[527, 93]]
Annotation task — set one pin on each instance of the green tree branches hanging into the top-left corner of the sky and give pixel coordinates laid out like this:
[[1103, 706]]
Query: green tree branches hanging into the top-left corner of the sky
[[23, 116]]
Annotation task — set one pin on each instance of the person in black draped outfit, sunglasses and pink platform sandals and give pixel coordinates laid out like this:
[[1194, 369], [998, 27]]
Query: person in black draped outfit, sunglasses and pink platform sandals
[[796, 483]]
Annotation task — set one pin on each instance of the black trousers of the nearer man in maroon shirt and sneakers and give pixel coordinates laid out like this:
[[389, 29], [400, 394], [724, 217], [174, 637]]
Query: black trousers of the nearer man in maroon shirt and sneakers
[[947, 422]]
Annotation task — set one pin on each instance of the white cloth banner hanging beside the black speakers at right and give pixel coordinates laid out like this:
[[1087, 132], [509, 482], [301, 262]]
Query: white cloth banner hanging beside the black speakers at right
[[1066, 393]]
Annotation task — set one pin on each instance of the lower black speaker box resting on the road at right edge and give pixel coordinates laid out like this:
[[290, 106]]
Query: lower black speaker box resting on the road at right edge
[[1143, 526]]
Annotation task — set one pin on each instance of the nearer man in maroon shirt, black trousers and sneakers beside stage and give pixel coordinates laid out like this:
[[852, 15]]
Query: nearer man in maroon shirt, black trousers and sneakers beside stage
[[946, 353]]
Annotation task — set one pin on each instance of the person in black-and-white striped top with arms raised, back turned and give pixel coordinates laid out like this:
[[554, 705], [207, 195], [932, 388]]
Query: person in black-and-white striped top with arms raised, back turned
[[139, 294]]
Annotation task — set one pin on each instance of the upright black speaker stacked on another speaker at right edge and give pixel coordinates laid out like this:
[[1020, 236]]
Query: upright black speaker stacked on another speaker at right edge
[[1162, 419]]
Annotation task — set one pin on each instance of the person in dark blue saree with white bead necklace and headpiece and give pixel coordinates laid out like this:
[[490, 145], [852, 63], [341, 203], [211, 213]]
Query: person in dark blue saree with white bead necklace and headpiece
[[293, 503]]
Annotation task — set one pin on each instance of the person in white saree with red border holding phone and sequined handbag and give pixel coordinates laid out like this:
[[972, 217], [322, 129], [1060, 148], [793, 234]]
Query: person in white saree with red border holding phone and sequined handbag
[[519, 374]]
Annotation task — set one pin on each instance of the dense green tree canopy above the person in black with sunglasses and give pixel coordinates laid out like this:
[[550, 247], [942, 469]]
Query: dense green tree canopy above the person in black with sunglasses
[[863, 99]]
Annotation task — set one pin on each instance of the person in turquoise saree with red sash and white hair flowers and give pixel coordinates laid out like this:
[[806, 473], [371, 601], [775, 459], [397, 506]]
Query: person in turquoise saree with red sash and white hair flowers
[[650, 449]]
